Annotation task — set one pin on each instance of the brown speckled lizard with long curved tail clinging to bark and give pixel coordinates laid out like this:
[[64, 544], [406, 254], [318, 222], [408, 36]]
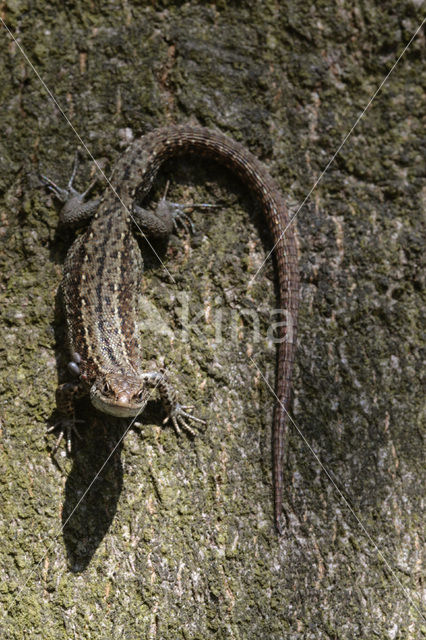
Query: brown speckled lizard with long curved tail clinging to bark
[[104, 265]]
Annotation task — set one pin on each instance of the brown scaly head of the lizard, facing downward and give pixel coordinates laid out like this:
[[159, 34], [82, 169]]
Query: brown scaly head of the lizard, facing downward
[[119, 394]]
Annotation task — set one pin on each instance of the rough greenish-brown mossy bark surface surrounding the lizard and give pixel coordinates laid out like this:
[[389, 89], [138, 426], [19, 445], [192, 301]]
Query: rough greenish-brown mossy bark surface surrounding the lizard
[[174, 538]]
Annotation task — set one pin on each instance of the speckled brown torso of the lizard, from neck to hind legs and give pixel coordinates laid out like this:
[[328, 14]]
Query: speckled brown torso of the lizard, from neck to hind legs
[[101, 288]]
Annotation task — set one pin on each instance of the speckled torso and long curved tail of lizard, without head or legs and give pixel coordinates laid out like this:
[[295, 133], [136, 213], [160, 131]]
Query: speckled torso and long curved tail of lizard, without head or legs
[[103, 268]]
